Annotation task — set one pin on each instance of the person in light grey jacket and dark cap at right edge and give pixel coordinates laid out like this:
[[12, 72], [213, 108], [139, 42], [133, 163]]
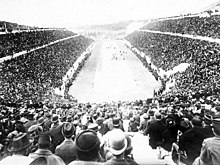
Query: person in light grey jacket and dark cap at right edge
[[210, 151]]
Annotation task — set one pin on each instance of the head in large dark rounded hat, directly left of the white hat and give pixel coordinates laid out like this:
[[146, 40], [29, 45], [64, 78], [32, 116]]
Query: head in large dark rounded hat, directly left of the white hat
[[87, 146]]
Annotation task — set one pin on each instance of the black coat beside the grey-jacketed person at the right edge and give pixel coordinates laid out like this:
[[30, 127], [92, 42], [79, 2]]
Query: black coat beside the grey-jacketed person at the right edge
[[191, 142]]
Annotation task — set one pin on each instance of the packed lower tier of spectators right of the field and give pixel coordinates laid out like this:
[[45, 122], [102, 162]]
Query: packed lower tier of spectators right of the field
[[166, 52]]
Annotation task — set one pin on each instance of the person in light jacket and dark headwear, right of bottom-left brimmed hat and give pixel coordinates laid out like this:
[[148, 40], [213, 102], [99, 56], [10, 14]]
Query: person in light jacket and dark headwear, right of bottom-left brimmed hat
[[43, 150]]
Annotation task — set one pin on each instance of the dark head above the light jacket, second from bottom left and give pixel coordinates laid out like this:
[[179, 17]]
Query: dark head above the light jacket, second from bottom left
[[44, 140]]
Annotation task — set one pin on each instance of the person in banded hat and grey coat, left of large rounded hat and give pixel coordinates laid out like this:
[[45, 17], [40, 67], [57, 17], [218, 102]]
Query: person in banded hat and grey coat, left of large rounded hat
[[67, 149]]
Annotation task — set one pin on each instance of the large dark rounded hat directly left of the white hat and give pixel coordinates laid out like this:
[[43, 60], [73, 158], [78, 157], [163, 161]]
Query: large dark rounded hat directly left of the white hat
[[87, 141]]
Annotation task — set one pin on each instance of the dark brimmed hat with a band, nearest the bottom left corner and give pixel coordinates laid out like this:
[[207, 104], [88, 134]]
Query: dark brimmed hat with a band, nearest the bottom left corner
[[19, 142]]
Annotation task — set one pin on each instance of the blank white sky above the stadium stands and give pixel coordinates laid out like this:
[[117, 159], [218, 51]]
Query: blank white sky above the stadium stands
[[71, 13]]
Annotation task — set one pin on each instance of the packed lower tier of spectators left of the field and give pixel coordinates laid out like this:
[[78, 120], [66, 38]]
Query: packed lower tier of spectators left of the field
[[31, 76]]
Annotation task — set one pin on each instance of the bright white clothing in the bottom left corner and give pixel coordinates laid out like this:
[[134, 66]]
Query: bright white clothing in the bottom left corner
[[16, 160]]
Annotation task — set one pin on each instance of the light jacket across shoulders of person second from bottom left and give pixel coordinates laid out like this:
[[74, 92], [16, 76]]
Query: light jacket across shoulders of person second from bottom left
[[52, 159]]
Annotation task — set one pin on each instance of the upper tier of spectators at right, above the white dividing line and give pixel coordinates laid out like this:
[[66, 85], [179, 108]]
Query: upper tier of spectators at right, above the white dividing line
[[201, 26]]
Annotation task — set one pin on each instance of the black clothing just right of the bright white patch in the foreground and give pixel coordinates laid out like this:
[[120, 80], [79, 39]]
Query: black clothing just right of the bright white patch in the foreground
[[155, 131]]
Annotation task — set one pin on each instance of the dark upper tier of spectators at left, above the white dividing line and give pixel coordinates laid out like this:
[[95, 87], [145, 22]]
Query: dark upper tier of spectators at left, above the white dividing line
[[12, 43]]
